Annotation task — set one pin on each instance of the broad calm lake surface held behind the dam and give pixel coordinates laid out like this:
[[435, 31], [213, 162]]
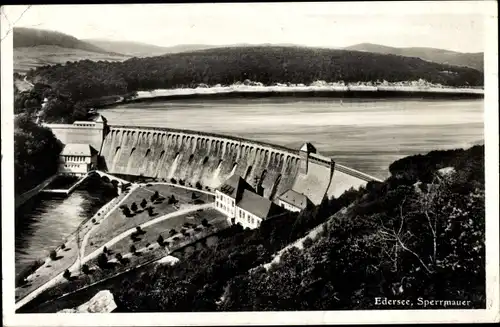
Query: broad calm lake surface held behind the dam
[[364, 134]]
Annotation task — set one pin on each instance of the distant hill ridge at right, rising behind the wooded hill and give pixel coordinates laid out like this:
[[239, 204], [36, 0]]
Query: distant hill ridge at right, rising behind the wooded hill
[[472, 60]]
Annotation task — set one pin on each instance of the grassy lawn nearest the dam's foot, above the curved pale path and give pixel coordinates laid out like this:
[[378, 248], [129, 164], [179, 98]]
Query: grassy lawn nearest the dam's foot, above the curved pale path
[[117, 223]]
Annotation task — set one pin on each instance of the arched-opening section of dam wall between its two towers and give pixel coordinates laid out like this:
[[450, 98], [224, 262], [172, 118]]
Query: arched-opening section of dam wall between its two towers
[[198, 157]]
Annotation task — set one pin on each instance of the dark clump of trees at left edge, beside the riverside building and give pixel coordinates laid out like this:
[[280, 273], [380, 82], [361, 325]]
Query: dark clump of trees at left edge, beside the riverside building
[[36, 155]]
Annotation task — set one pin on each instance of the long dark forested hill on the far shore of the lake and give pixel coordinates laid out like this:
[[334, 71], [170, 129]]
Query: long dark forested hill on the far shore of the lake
[[269, 65]]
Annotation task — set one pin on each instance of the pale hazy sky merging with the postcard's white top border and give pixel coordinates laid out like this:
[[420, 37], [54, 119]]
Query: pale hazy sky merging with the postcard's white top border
[[448, 25]]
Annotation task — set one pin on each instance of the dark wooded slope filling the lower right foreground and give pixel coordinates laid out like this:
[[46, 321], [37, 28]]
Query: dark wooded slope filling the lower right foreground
[[420, 233]]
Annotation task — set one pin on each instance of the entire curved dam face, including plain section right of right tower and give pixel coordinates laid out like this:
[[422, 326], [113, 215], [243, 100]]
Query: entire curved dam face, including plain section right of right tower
[[210, 159]]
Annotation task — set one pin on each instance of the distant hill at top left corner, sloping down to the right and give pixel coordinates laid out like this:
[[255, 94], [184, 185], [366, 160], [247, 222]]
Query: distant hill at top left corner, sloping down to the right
[[31, 37]]
